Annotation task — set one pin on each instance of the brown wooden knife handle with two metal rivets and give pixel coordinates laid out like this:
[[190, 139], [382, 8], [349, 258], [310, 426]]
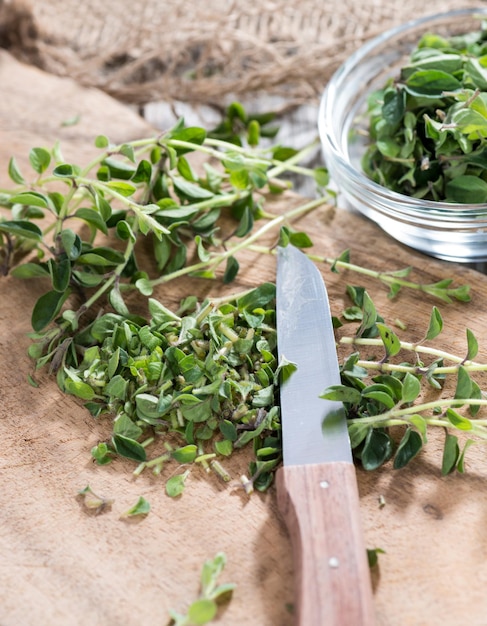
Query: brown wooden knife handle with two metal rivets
[[320, 505]]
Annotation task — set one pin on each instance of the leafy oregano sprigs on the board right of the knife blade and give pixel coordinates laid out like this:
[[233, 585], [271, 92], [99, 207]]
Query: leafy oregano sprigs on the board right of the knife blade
[[380, 394]]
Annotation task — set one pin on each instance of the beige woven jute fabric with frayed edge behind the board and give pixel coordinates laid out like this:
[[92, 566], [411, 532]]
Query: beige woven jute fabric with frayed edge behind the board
[[200, 51]]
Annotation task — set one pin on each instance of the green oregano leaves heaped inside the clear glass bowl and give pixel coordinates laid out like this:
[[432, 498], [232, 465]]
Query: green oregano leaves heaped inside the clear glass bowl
[[428, 125]]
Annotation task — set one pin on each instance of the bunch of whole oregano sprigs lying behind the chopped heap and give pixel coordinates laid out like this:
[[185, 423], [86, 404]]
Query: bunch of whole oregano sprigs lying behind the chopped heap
[[145, 187]]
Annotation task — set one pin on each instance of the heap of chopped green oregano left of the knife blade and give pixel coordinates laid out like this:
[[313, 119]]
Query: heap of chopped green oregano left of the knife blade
[[210, 377]]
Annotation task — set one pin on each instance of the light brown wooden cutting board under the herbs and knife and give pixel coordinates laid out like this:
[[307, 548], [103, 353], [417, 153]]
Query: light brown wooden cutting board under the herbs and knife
[[61, 567]]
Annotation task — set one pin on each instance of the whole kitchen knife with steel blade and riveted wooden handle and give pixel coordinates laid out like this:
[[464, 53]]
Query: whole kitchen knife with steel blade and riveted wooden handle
[[317, 486]]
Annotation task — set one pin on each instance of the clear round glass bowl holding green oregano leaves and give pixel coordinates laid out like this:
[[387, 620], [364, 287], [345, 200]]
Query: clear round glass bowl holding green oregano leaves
[[453, 232]]
